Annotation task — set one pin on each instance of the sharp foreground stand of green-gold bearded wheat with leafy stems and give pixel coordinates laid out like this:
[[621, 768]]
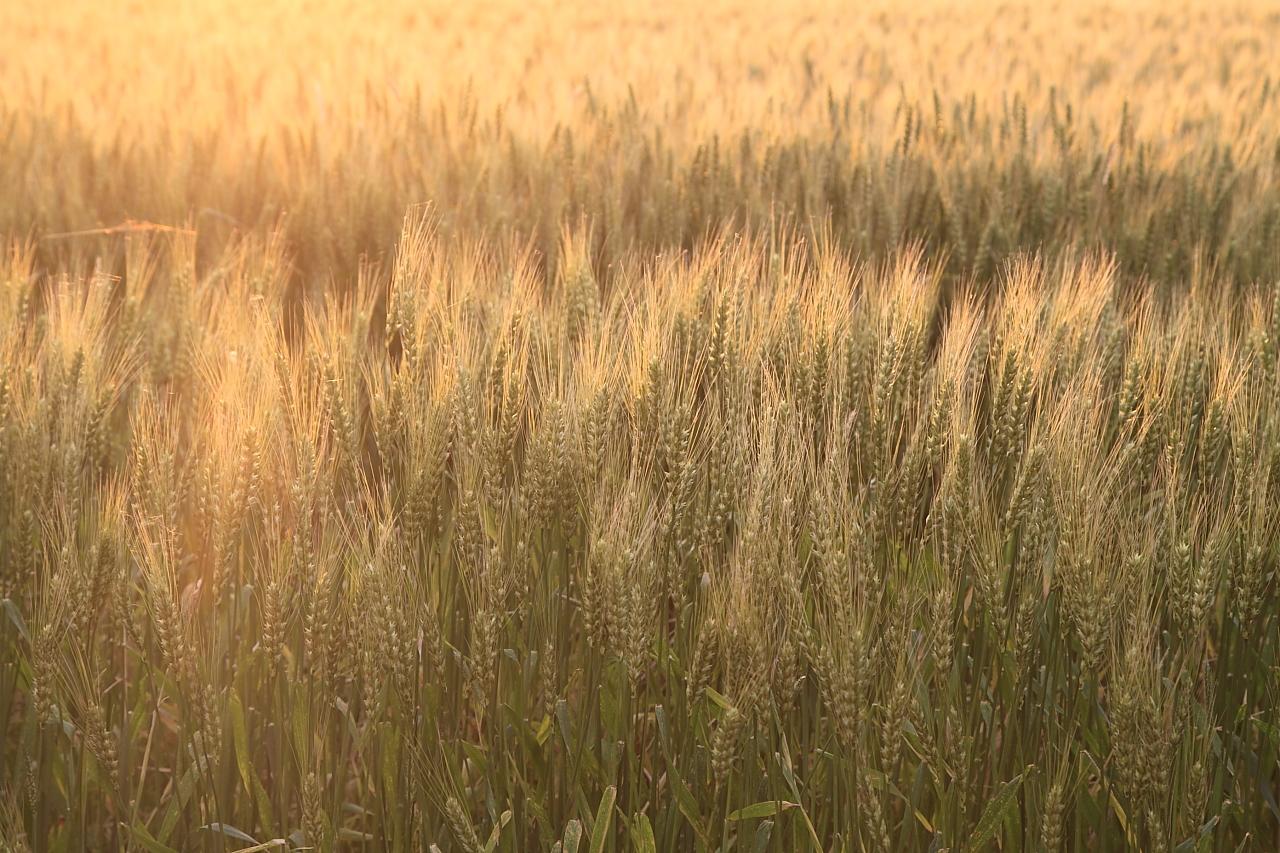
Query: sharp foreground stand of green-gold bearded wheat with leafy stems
[[755, 549]]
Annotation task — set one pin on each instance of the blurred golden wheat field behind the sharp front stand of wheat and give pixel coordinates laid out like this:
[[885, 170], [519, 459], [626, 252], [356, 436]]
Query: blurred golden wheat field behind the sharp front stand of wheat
[[981, 129]]
